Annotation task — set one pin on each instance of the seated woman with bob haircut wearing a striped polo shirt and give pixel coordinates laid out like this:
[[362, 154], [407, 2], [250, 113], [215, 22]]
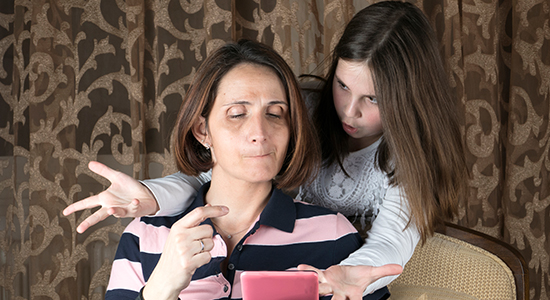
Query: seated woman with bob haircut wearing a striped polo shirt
[[243, 118]]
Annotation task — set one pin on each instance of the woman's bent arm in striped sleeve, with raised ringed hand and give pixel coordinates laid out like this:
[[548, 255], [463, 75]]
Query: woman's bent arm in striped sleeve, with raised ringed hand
[[182, 250]]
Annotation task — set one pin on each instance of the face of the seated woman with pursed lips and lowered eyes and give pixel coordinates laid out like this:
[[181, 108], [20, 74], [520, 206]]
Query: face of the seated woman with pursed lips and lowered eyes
[[248, 127]]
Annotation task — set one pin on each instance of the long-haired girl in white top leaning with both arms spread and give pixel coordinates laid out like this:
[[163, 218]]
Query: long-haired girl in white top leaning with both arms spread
[[390, 140]]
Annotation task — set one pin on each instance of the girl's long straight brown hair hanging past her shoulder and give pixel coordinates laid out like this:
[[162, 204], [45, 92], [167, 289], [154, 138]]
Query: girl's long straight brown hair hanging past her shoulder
[[421, 148]]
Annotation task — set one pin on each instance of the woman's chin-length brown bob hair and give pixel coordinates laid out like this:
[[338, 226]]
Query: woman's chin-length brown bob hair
[[303, 155]]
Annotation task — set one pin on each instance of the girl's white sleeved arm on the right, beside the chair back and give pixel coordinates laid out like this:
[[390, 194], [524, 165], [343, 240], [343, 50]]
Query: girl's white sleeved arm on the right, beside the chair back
[[387, 242]]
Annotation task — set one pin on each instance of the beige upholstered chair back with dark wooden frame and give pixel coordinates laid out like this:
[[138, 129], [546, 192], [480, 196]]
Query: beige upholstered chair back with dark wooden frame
[[460, 263]]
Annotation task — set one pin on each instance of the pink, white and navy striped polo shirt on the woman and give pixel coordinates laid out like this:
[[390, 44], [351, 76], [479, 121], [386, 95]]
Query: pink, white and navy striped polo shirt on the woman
[[286, 234]]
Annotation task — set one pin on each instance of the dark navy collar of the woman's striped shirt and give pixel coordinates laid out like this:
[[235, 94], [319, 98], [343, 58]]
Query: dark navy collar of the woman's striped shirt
[[279, 213]]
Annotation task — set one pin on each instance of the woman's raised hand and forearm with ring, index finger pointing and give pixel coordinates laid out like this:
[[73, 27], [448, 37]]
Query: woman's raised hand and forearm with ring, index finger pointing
[[186, 249]]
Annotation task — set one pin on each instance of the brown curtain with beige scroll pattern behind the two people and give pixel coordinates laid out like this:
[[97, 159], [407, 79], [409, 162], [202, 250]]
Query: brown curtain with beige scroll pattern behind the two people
[[103, 80]]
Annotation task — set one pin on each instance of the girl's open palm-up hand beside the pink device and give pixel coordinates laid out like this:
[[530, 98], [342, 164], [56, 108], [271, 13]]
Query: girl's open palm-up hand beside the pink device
[[349, 282]]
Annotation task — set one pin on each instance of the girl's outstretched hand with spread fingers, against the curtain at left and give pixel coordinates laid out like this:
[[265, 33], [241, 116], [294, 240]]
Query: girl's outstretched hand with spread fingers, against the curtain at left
[[126, 197]]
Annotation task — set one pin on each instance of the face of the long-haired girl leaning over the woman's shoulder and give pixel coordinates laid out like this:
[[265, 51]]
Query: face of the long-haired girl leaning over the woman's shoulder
[[356, 104]]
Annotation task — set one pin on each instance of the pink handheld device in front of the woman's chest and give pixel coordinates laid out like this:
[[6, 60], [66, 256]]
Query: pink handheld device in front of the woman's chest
[[279, 285]]
